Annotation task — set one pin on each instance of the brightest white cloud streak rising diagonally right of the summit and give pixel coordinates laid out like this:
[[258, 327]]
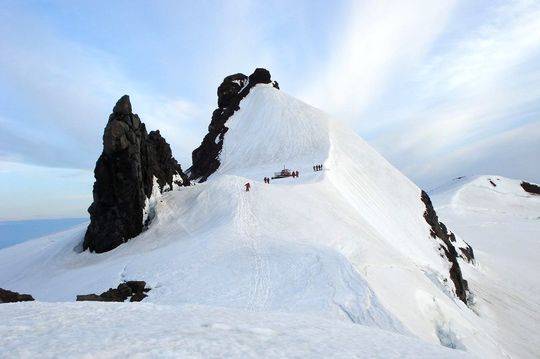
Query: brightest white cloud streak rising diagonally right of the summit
[[380, 40]]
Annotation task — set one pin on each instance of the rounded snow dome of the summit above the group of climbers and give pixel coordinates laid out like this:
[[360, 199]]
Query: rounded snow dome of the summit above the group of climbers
[[273, 129]]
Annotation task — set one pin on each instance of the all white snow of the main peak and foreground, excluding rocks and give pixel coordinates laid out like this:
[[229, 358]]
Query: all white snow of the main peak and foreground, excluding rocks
[[335, 263]]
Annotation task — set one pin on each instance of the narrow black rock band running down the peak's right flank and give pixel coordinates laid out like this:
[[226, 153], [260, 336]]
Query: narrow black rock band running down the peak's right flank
[[446, 246]]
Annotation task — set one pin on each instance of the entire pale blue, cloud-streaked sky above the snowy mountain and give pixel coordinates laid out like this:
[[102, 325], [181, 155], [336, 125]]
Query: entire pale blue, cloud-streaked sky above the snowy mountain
[[440, 88]]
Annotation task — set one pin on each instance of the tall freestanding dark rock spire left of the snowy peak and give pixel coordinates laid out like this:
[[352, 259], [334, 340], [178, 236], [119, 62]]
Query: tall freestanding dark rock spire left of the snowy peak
[[124, 176]]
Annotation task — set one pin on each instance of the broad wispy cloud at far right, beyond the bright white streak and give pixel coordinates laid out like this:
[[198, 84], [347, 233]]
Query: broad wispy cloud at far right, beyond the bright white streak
[[487, 83]]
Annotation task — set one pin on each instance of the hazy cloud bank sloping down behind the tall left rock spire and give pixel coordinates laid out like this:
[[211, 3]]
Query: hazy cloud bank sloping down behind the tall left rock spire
[[68, 90]]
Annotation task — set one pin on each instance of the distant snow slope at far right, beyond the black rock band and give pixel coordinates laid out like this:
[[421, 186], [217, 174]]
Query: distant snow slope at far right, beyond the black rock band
[[502, 223]]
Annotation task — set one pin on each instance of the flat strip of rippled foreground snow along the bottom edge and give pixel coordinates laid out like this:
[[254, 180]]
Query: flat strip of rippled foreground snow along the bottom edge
[[107, 330]]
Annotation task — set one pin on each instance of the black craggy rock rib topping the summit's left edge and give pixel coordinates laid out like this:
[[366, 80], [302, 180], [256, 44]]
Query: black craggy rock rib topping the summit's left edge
[[231, 91]]
